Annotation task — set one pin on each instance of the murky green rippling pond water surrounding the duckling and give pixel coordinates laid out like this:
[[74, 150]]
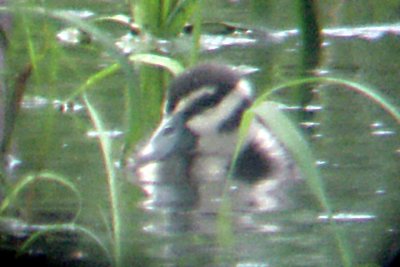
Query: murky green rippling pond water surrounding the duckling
[[355, 142]]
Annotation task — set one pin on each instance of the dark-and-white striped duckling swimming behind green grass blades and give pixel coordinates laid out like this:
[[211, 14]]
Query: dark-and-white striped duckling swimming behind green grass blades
[[185, 163]]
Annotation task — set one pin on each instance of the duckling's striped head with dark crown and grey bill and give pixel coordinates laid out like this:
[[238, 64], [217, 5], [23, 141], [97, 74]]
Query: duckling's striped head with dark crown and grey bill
[[202, 114]]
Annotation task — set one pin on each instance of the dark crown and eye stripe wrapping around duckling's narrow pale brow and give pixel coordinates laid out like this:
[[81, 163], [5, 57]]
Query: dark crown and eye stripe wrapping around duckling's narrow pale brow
[[219, 76]]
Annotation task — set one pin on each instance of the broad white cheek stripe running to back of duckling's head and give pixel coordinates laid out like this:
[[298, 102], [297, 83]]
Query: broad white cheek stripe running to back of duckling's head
[[210, 120]]
